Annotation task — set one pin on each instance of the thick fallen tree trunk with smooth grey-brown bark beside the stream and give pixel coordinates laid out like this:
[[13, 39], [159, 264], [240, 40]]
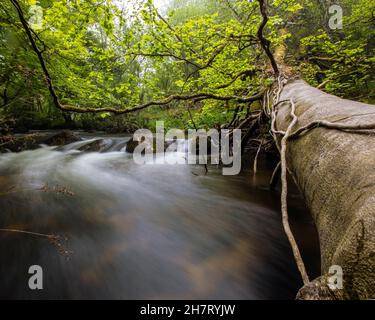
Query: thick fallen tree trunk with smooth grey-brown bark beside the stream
[[335, 171]]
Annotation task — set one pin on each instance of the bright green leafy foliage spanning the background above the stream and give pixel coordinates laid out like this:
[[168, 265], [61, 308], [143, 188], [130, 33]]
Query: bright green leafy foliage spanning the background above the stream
[[120, 55]]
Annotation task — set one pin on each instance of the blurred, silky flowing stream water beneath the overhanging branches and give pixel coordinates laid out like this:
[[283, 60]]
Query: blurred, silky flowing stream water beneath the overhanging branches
[[133, 231]]
